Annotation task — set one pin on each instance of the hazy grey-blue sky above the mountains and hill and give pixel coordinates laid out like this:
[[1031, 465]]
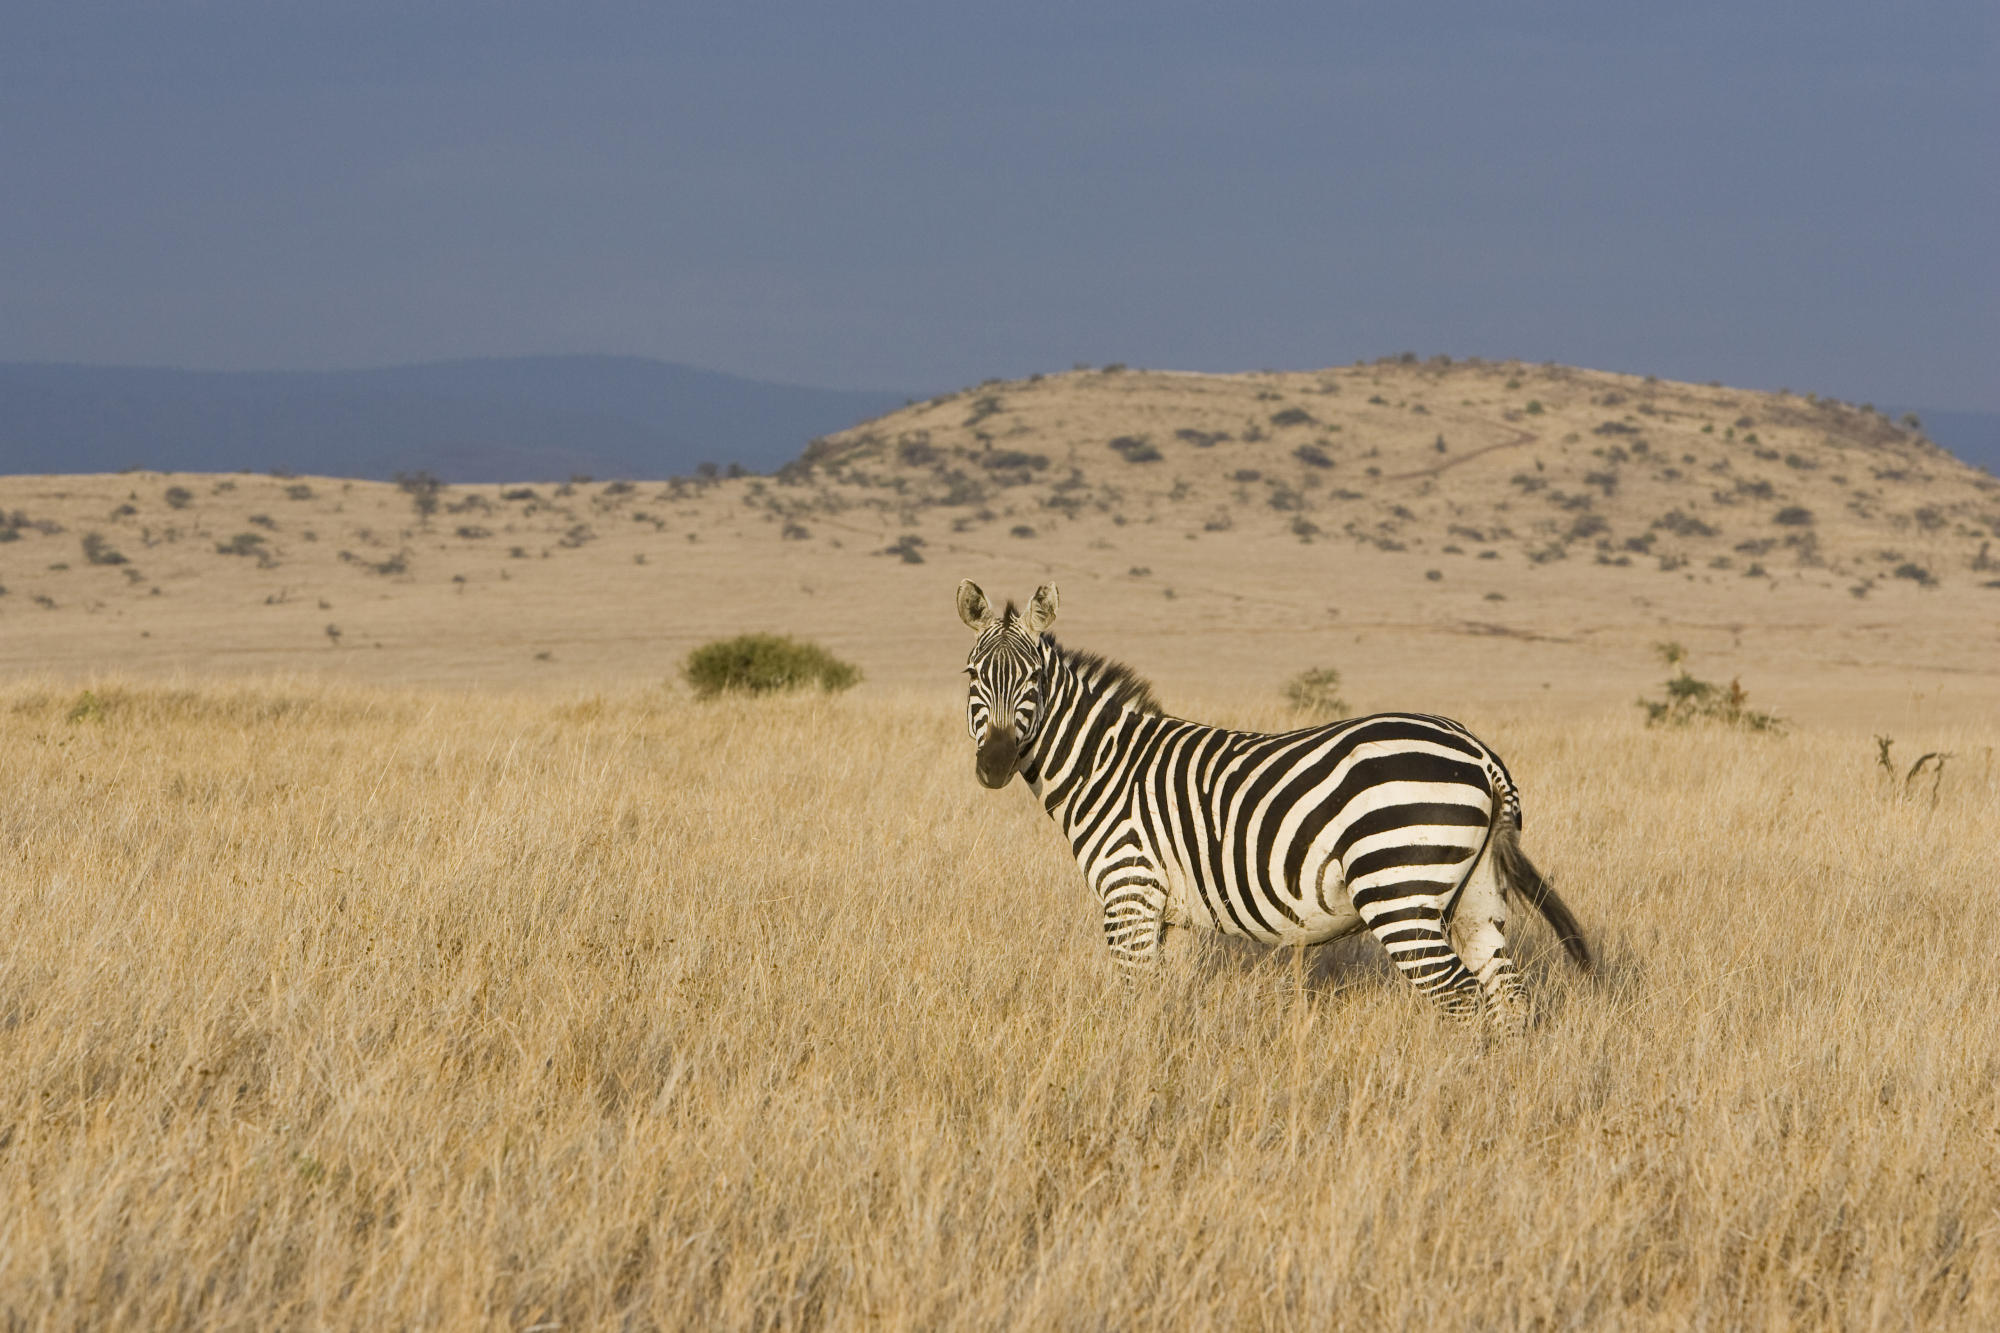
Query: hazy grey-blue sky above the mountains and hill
[[925, 195]]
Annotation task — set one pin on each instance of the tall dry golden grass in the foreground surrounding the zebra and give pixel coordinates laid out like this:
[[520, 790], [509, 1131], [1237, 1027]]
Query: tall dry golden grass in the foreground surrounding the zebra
[[387, 1010]]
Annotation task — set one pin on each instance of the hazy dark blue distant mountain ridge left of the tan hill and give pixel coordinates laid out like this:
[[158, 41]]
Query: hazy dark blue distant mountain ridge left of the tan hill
[[465, 421]]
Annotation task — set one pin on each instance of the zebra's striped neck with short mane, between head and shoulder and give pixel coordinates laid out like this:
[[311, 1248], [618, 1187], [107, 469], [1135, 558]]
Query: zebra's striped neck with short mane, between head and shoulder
[[1093, 710]]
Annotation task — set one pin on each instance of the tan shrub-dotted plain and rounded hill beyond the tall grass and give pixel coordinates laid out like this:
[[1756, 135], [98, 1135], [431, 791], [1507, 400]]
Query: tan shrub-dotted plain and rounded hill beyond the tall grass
[[1447, 535]]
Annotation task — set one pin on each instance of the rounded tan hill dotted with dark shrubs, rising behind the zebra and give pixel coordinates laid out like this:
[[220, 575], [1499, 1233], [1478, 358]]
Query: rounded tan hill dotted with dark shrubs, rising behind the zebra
[[1451, 459]]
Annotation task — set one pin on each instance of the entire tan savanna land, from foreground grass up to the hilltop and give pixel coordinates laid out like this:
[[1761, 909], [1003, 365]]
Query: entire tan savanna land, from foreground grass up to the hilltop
[[391, 940]]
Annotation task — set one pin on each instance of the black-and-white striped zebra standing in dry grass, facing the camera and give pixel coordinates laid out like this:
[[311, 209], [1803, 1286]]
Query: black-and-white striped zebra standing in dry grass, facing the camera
[[1399, 824]]
